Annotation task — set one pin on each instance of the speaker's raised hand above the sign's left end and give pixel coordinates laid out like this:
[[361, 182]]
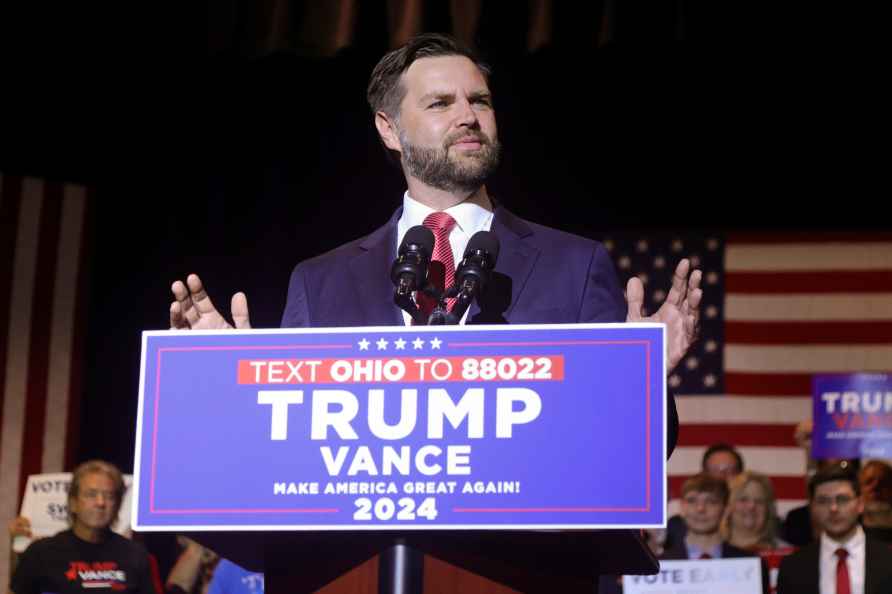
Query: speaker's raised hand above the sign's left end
[[193, 309]]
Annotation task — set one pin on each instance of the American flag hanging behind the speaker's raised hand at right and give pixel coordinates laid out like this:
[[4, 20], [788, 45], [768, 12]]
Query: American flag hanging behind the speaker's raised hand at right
[[776, 309]]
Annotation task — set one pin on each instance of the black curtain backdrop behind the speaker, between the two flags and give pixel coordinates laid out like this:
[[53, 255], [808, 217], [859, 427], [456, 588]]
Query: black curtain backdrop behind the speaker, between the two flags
[[237, 162]]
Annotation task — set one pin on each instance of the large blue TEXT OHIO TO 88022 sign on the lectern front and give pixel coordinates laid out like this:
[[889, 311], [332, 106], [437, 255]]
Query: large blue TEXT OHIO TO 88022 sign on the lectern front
[[457, 427]]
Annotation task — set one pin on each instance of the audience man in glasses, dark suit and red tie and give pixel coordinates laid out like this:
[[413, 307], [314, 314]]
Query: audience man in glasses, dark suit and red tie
[[844, 560]]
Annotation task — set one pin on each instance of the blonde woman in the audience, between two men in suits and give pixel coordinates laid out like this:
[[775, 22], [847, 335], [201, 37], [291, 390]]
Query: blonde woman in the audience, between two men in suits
[[750, 521]]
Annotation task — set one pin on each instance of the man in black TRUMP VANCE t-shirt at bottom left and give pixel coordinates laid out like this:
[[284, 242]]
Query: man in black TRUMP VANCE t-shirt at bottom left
[[89, 557]]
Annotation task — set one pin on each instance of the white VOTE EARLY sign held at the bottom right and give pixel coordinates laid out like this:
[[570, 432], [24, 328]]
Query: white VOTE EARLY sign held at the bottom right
[[712, 576]]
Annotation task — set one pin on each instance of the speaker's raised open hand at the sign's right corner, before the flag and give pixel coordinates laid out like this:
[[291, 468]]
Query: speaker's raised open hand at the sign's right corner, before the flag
[[680, 311]]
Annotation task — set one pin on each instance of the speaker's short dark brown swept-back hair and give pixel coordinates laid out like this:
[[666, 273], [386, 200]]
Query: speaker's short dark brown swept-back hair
[[386, 92]]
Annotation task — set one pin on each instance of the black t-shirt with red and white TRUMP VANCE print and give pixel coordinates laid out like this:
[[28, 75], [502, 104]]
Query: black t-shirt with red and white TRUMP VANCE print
[[65, 564]]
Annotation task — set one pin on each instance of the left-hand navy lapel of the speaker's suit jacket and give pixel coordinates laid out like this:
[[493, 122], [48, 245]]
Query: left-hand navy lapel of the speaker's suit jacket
[[371, 276]]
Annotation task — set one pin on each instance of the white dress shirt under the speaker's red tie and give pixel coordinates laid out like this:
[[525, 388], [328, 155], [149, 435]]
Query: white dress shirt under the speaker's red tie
[[470, 217]]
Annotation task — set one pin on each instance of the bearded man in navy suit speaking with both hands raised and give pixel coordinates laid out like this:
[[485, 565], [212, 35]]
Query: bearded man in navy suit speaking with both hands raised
[[434, 112]]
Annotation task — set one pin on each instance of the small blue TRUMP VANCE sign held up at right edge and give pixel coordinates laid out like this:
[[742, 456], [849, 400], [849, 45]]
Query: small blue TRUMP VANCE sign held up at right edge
[[852, 415]]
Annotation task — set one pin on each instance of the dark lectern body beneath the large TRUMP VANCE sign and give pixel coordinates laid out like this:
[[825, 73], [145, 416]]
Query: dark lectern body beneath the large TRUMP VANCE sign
[[534, 562]]
